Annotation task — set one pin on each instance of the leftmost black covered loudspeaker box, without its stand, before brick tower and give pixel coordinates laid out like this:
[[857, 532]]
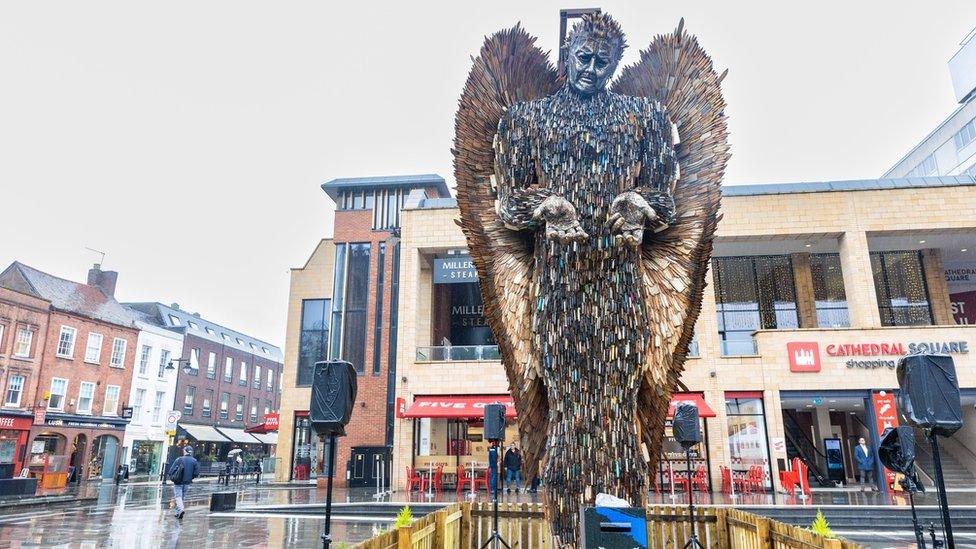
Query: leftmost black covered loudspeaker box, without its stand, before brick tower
[[333, 396]]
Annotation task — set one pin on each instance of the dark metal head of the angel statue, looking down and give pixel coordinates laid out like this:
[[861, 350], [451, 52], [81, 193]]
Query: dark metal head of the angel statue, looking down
[[592, 51]]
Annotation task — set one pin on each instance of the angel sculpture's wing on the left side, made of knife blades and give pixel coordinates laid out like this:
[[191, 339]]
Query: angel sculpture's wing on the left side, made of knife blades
[[509, 69]]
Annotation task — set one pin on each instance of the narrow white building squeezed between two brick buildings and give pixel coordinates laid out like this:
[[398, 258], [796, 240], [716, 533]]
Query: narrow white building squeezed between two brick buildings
[[151, 397]]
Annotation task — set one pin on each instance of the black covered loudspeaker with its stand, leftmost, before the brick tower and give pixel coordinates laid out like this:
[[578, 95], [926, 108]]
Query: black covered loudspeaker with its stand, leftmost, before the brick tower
[[333, 396]]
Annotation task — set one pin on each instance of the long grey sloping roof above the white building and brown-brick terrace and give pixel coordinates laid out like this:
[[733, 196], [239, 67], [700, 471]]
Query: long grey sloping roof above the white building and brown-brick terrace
[[174, 318]]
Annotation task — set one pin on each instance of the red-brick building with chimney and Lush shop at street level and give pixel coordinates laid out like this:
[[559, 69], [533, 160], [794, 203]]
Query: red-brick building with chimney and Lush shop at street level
[[86, 368]]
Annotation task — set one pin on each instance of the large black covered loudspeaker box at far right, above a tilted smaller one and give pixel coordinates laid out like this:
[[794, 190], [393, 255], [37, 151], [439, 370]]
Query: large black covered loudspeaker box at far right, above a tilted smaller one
[[929, 396]]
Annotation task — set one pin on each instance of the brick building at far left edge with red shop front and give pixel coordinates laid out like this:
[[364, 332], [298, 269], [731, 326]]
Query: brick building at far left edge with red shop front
[[23, 328]]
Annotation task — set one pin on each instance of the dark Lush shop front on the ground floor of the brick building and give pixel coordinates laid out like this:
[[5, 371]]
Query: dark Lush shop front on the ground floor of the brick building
[[92, 444]]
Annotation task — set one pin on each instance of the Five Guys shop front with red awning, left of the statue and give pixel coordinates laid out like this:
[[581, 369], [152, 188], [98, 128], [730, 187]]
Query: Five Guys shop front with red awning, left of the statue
[[448, 431]]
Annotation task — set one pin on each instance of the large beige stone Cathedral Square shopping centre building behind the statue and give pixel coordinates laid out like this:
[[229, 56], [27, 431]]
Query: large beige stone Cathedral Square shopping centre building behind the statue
[[815, 291]]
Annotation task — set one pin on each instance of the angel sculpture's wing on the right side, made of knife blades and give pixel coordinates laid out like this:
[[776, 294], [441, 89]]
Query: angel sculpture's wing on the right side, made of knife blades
[[676, 71]]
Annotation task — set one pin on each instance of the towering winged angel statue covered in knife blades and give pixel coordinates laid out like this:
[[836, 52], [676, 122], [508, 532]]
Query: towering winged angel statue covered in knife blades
[[591, 226]]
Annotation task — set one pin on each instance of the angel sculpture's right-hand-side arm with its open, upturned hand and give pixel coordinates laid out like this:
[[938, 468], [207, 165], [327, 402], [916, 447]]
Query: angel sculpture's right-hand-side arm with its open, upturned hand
[[649, 205]]
